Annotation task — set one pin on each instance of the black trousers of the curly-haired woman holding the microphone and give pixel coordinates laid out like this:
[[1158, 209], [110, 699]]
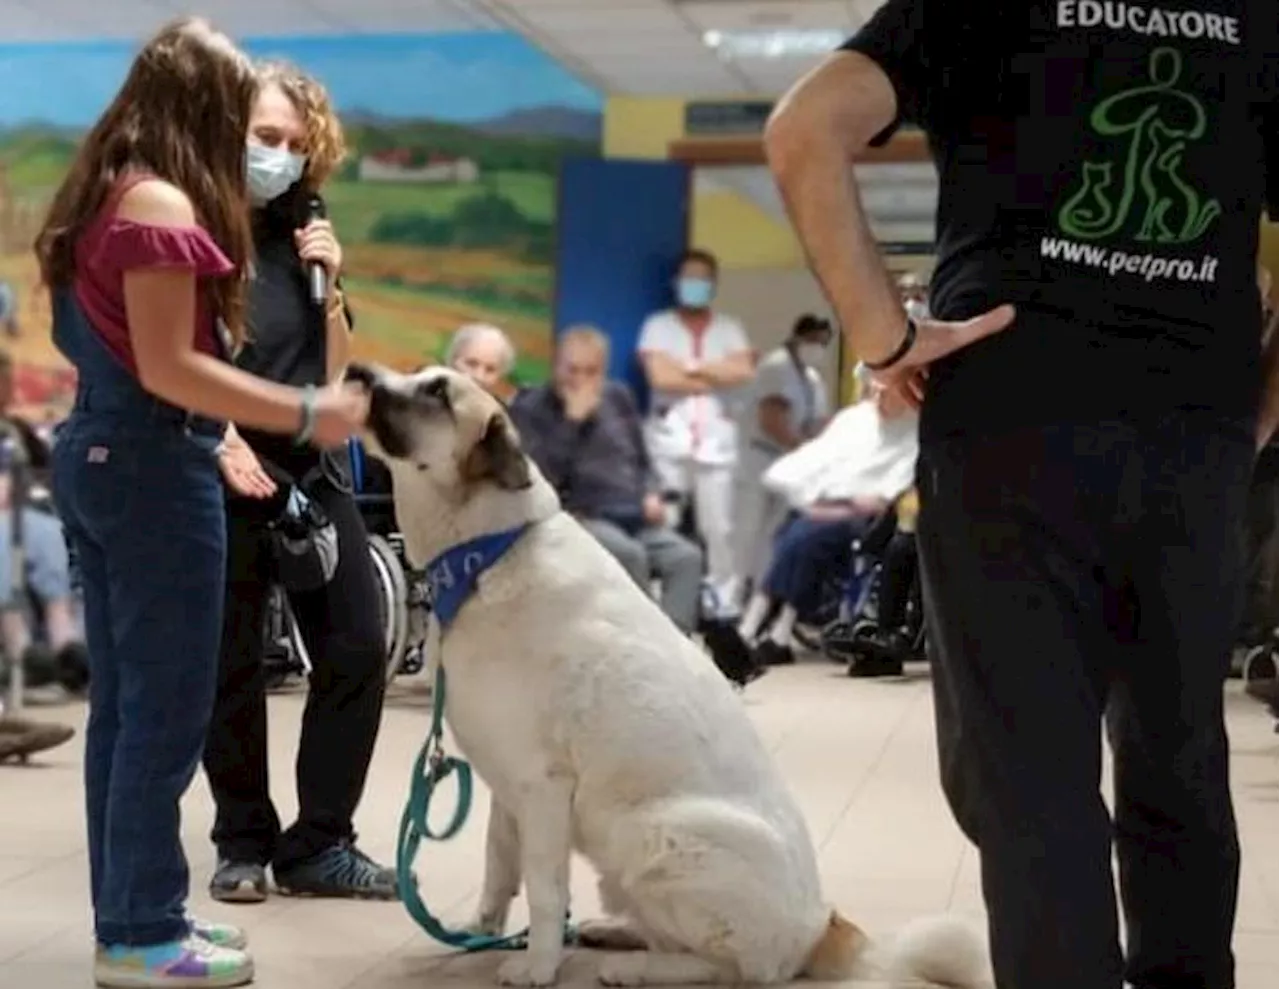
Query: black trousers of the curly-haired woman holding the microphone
[[342, 630]]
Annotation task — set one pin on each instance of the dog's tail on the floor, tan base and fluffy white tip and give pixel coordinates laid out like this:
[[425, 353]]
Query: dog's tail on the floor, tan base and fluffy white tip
[[932, 953]]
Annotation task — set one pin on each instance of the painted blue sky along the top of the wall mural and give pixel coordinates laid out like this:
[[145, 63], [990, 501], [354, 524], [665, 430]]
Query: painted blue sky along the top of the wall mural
[[459, 77]]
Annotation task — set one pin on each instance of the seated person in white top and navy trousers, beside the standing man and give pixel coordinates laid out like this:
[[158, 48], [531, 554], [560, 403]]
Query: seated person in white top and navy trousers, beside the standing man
[[838, 486]]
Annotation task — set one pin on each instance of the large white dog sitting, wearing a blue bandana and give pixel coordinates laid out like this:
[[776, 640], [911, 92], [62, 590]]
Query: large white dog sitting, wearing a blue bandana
[[601, 729]]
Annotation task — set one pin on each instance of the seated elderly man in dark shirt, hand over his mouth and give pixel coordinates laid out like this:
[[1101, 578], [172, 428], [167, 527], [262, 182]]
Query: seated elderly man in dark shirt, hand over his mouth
[[586, 436]]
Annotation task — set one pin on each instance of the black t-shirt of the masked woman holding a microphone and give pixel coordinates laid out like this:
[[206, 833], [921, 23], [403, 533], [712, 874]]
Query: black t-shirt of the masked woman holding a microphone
[[286, 332]]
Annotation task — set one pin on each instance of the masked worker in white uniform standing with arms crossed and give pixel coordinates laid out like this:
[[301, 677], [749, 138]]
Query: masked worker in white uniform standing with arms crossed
[[694, 358]]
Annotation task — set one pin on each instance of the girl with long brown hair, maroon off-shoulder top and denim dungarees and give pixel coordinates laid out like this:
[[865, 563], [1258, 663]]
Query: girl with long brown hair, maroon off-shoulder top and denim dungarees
[[147, 253]]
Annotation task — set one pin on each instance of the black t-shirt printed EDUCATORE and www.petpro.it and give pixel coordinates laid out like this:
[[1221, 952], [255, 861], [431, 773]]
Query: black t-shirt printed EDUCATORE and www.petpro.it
[[1103, 167]]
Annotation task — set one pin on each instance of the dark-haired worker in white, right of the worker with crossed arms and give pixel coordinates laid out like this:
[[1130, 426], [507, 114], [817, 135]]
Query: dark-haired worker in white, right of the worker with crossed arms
[[789, 407]]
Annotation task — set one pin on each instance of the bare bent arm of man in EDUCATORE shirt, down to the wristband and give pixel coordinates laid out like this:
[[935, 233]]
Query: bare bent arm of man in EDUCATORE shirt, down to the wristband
[[816, 132]]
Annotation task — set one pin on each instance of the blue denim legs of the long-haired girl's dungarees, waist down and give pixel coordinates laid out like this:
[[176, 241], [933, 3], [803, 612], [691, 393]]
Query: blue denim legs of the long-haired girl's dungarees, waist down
[[140, 494]]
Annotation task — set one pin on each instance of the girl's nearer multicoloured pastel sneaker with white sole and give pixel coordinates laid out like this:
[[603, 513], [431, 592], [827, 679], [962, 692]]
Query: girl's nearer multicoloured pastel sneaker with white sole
[[191, 964]]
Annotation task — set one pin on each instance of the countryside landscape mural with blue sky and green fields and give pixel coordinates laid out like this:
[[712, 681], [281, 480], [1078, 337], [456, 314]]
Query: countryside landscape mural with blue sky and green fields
[[446, 207]]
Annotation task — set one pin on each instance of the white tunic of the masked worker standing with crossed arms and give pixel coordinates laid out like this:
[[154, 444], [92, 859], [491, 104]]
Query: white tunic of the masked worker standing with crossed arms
[[696, 428]]
